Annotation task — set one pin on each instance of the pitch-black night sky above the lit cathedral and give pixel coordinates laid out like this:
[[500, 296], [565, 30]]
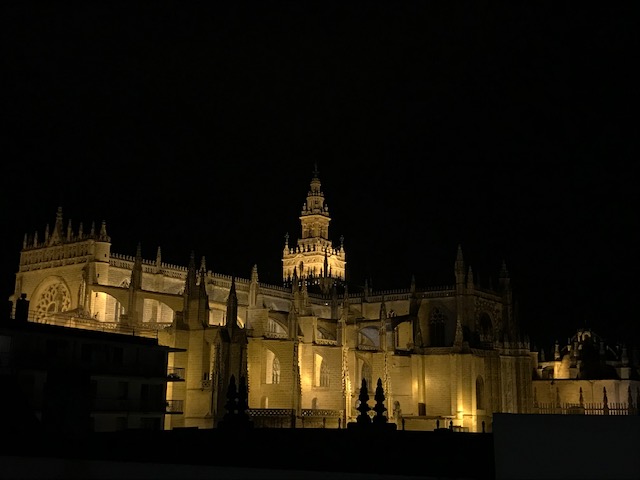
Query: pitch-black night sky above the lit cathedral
[[510, 130]]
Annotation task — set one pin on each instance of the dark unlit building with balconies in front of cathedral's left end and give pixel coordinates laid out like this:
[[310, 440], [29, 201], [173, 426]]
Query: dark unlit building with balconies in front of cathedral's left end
[[72, 381]]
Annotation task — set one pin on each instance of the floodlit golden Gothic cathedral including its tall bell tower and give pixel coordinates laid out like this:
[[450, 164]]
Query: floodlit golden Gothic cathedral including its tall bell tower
[[449, 356]]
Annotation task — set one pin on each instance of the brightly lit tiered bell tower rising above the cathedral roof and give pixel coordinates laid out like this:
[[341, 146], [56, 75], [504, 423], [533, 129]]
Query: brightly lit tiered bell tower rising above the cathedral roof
[[314, 259]]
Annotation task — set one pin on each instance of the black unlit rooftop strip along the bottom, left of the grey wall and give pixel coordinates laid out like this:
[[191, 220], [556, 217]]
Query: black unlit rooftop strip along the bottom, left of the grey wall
[[256, 453]]
